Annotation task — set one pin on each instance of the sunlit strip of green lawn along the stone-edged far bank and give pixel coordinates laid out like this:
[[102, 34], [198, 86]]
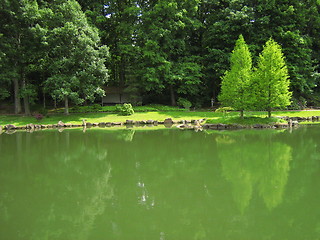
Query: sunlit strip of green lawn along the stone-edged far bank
[[232, 117]]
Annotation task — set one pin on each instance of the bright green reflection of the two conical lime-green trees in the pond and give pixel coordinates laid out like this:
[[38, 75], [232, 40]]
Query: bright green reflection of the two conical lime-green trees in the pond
[[259, 161]]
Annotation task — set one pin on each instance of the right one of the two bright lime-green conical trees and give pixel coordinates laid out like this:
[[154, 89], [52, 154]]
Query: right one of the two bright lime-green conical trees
[[271, 79]]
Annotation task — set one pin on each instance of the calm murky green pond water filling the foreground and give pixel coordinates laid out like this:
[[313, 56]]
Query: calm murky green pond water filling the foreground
[[160, 184]]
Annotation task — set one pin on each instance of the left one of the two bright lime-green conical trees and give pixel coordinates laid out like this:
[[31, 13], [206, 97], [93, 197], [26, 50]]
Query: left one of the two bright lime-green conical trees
[[236, 82]]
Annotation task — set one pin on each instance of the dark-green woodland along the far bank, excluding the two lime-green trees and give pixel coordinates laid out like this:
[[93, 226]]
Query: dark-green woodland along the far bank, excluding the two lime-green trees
[[160, 51]]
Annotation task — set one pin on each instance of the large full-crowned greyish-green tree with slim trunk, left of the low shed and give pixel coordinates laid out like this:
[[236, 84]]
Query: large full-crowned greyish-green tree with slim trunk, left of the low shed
[[75, 61]]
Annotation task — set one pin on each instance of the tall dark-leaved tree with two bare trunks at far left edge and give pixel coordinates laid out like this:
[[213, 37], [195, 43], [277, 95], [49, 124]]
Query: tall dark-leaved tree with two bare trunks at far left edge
[[20, 47]]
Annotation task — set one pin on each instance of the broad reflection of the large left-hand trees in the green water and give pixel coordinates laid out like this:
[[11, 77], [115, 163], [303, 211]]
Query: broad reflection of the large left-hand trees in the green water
[[75, 179]]
